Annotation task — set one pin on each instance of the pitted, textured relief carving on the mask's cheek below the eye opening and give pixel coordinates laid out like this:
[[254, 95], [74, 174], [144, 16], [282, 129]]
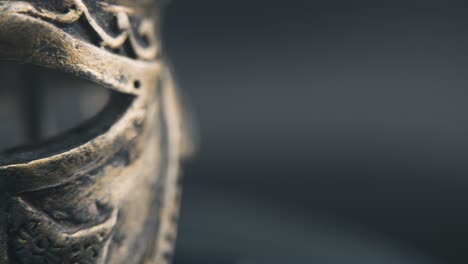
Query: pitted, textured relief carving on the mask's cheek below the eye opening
[[36, 238]]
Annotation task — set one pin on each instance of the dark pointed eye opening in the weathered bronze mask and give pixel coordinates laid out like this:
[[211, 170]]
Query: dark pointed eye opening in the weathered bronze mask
[[40, 105]]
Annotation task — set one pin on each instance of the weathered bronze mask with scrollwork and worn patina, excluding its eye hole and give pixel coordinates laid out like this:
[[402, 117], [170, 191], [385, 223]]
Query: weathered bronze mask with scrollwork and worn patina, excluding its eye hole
[[107, 190]]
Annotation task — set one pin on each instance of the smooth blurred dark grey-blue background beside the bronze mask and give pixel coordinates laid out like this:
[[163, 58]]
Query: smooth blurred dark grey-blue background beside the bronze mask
[[331, 131]]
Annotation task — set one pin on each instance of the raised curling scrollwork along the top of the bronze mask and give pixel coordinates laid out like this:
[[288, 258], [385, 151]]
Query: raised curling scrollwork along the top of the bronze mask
[[76, 9]]
